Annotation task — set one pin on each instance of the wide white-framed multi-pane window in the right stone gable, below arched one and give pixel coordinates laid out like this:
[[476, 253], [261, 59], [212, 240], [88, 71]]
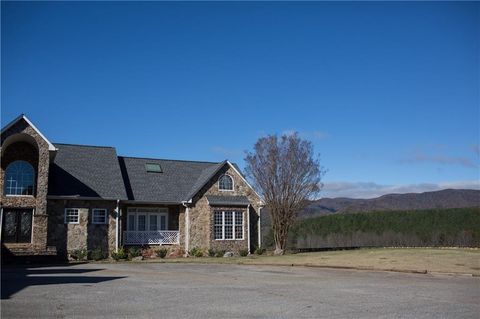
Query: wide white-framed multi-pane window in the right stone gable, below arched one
[[227, 225]]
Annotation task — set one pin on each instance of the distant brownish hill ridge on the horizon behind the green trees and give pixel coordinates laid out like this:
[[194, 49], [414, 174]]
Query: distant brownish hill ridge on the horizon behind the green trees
[[447, 198]]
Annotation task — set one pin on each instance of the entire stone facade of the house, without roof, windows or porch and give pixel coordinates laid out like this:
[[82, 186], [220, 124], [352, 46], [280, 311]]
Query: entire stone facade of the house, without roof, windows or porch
[[22, 141]]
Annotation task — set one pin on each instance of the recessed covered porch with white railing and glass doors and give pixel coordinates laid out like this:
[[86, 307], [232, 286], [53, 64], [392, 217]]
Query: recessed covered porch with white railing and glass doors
[[151, 225]]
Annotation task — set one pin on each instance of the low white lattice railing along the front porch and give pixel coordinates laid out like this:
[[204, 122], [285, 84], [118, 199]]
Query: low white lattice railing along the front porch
[[158, 237]]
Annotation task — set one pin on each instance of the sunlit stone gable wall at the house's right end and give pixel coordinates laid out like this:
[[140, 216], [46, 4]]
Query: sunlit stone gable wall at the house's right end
[[201, 214]]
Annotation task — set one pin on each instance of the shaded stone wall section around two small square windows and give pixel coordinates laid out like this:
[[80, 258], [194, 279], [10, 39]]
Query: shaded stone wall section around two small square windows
[[85, 234]]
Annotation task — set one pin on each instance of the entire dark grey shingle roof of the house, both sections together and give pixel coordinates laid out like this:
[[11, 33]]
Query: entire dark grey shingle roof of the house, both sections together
[[96, 171]]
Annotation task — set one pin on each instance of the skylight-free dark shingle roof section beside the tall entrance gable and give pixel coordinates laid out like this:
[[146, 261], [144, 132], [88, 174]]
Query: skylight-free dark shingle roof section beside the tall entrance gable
[[86, 171]]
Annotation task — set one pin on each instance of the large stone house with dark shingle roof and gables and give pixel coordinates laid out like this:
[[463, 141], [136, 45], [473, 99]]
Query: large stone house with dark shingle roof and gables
[[62, 197]]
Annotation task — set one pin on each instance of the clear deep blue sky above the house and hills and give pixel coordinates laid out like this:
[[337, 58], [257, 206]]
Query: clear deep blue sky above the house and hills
[[387, 92]]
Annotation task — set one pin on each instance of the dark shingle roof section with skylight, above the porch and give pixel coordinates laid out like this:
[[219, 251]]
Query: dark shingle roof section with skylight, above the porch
[[178, 182]]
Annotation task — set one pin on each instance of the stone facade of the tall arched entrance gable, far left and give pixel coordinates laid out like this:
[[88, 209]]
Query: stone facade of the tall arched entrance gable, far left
[[22, 142]]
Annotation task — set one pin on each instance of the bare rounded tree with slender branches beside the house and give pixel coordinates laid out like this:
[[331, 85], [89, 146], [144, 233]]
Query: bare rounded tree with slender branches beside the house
[[287, 174]]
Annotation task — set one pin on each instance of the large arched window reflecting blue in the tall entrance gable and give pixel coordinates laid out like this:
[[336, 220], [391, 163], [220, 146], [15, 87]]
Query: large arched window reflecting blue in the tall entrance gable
[[19, 178]]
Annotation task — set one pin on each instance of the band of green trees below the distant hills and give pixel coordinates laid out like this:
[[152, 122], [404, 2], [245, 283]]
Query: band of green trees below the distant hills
[[458, 227]]
